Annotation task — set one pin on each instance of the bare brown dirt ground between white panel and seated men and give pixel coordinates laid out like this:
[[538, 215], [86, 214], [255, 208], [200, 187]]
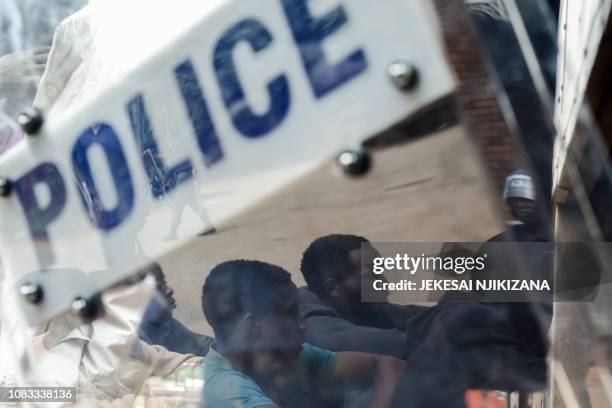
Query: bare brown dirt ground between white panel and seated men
[[429, 190]]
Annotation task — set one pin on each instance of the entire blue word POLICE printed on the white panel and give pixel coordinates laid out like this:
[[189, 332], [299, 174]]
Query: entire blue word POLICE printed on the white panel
[[309, 34]]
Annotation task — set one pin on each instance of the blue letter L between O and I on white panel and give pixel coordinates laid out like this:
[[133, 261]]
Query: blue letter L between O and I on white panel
[[161, 180]]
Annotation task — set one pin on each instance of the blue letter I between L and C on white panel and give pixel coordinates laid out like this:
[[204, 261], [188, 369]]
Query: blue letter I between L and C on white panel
[[197, 109]]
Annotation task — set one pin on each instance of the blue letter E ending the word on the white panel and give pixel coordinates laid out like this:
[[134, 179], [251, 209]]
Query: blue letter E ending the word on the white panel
[[309, 33]]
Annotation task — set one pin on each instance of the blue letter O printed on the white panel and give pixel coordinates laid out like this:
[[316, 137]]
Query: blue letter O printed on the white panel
[[103, 135]]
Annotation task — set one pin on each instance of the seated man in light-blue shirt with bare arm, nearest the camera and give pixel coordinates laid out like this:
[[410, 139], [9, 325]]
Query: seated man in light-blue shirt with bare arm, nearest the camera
[[260, 358]]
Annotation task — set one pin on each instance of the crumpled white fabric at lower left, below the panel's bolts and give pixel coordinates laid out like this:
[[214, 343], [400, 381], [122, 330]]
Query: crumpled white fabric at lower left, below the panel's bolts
[[104, 359]]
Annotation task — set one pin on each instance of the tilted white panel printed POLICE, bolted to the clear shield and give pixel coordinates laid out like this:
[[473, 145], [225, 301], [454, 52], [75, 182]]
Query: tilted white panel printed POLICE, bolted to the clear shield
[[245, 102]]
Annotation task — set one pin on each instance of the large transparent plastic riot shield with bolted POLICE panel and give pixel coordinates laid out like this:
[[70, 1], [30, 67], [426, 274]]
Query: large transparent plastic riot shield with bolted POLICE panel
[[178, 144]]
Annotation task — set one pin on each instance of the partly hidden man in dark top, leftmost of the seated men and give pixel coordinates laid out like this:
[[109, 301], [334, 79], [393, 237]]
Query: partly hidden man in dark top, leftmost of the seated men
[[159, 327]]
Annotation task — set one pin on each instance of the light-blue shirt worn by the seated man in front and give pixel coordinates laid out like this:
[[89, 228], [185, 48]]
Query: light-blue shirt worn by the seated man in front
[[225, 387]]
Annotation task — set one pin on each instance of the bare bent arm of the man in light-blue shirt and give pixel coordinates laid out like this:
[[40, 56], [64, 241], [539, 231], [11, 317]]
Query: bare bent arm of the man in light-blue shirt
[[385, 371]]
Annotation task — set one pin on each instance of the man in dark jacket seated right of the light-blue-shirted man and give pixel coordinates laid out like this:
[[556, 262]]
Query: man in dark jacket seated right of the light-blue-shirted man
[[462, 345]]
